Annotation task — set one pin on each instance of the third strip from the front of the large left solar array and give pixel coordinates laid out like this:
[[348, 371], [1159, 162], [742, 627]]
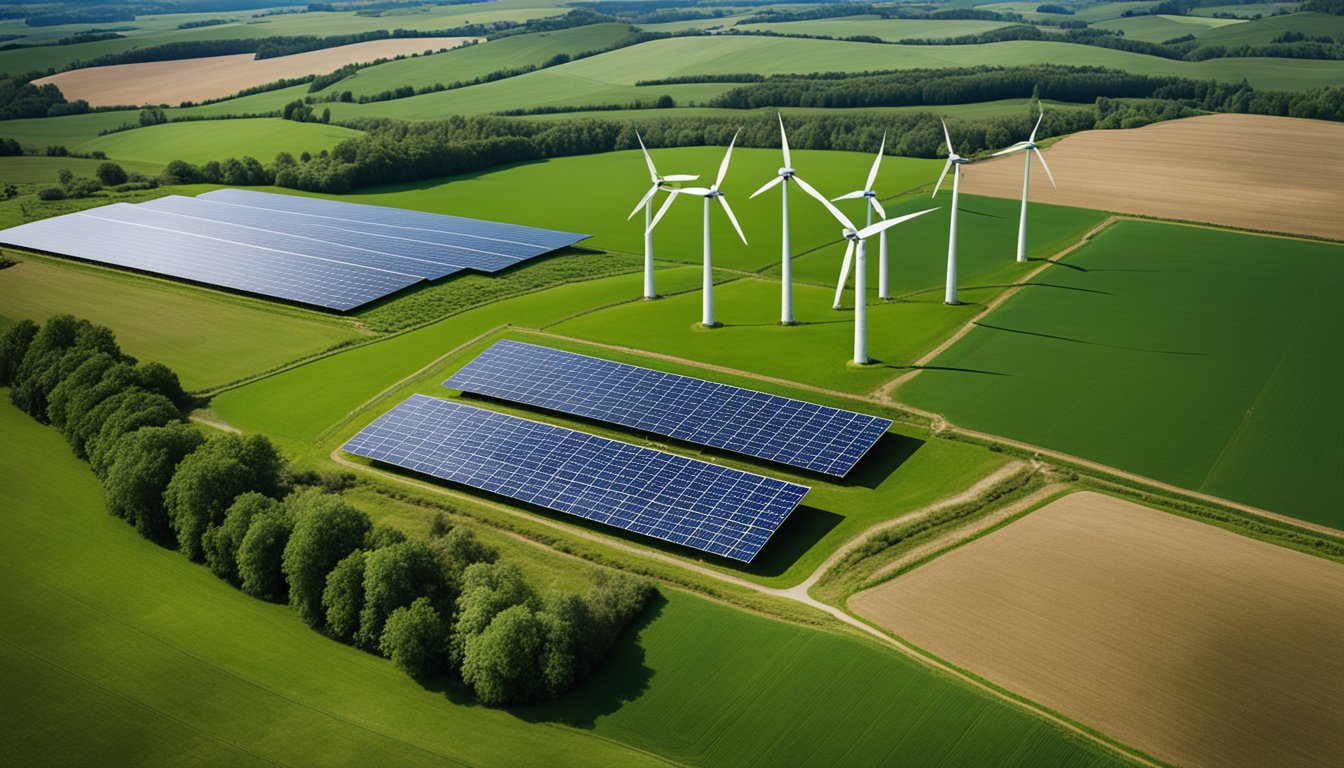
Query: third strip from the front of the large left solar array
[[330, 232]]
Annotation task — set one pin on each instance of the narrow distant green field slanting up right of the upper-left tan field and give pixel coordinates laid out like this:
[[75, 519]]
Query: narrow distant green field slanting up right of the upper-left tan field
[[480, 60]]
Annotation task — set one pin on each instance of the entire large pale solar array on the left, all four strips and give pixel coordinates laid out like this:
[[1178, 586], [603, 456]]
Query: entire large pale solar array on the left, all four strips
[[325, 254]]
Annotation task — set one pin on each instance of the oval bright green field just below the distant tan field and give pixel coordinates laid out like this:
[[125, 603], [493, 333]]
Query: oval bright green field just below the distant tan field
[[204, 141]]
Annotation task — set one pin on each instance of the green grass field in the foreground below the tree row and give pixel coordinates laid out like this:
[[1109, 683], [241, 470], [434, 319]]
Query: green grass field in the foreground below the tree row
[[170, 665]]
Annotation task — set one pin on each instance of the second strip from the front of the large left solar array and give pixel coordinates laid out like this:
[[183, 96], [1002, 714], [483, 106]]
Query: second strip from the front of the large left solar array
[[271, 240]]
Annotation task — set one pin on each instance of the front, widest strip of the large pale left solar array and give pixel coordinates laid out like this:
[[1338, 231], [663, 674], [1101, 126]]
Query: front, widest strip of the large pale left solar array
[[210, 262]]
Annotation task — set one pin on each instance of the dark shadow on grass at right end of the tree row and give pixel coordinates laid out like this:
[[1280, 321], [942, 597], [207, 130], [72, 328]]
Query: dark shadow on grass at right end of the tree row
[[618, 680]]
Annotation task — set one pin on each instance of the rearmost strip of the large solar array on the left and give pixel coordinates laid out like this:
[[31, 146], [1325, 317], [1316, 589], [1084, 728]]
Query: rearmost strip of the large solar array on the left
[[510, 240]]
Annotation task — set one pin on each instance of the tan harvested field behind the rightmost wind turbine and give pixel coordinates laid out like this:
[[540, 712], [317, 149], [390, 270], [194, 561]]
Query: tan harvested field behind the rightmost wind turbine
[[1272, 174]]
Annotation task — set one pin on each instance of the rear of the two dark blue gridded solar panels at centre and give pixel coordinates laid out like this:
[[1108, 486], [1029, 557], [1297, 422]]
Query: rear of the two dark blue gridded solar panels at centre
[[782, 430]]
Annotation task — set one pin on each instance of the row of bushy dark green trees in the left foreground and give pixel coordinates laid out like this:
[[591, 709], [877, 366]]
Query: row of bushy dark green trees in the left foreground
[[442, 606]]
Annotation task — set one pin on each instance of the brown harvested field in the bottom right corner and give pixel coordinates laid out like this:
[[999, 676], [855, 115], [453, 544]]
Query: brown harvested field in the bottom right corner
[[1191, 644]]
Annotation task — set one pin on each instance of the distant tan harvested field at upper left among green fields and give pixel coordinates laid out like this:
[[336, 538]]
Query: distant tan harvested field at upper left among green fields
[[217, 77]]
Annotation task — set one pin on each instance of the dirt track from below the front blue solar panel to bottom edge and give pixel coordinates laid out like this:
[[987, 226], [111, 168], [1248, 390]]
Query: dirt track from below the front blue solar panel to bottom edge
[[839, 614]]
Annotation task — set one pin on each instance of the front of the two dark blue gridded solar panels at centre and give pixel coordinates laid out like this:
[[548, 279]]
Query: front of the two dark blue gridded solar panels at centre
[[693, 504]]
